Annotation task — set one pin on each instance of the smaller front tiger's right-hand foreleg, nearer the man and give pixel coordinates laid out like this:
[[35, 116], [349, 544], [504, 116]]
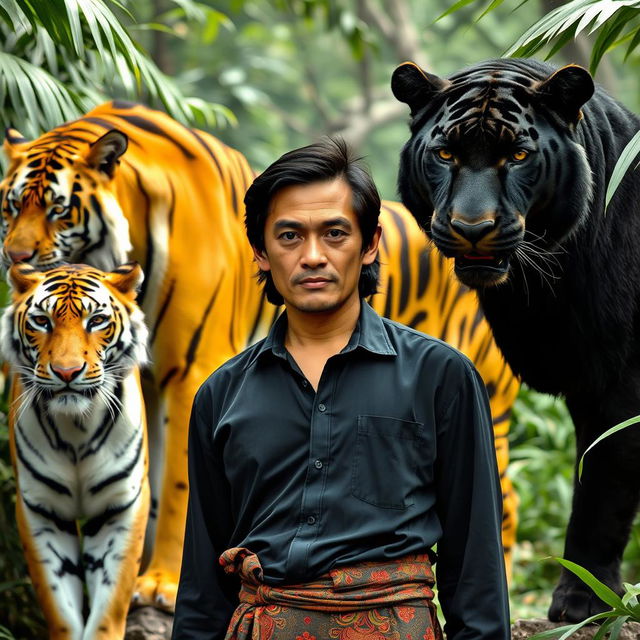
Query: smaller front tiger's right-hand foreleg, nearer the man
[[112, 552]]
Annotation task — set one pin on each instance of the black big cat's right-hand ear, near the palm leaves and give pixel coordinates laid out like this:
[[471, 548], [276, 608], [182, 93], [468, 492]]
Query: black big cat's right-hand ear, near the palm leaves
[[566, 90]]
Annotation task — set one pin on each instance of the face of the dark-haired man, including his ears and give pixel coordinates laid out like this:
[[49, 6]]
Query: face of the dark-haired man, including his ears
[[313, 246]]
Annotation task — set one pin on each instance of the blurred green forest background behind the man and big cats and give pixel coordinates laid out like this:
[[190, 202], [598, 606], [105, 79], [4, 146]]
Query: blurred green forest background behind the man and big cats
[[266, 77]]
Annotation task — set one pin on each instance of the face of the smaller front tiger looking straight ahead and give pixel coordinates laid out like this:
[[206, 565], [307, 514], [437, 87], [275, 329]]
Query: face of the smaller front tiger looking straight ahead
[[71, 333]]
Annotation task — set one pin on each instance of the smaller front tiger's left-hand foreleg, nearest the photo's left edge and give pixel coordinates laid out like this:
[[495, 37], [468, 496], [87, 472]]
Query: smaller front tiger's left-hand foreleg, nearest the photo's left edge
[[52, 551]]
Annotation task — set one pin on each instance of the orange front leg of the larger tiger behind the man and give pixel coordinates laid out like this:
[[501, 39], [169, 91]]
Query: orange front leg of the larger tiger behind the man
[[158, 585]]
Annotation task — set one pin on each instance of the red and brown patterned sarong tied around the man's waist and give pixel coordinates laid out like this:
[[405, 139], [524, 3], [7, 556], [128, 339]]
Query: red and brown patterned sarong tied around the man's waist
[[390, 600]]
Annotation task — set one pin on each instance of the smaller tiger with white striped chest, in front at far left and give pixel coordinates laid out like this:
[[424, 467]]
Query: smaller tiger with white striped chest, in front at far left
[[75, 339]]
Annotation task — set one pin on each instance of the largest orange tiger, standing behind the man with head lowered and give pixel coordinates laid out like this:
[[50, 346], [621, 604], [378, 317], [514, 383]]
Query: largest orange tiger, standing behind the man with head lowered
[[126, 182]]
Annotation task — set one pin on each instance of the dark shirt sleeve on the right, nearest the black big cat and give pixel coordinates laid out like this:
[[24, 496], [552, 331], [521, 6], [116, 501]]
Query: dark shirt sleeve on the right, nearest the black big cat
[[470, 571]]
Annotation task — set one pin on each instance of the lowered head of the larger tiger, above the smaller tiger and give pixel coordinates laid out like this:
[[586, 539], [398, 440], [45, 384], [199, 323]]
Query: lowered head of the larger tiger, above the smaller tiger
[[57, 202]]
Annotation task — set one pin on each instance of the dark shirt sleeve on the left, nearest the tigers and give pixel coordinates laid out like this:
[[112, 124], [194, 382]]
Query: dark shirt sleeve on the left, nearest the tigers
[[206, 596]]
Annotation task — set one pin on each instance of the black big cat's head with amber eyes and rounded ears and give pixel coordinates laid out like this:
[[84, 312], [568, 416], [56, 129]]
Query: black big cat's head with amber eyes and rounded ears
[[492, 170]]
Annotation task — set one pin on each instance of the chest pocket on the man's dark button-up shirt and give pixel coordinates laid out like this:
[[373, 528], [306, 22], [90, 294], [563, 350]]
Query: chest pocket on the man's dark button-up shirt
[[385, 463]]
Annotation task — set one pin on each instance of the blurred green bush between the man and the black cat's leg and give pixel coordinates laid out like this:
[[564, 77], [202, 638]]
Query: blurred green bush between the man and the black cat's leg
[[542, 444]]
